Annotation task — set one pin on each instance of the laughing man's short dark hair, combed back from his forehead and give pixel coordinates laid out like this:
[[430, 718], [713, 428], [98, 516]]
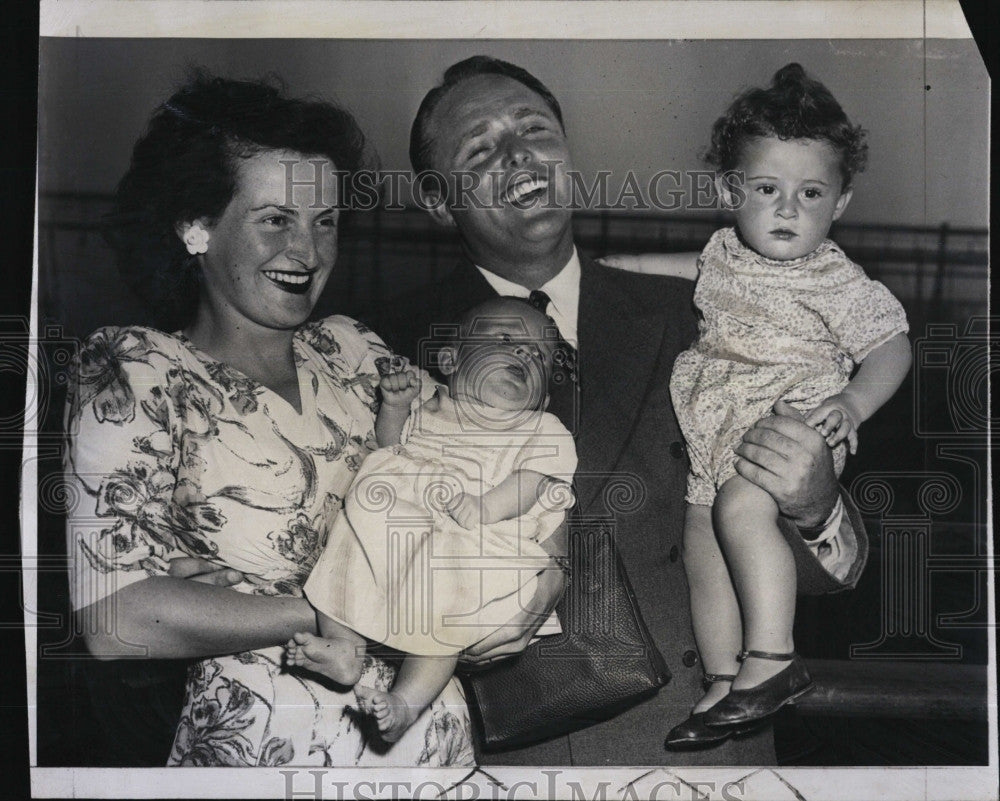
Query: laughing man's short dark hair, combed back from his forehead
[[421, 140]]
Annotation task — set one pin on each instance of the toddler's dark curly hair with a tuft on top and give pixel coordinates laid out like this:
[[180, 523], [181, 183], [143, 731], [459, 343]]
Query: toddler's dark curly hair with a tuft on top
[[794, 106]]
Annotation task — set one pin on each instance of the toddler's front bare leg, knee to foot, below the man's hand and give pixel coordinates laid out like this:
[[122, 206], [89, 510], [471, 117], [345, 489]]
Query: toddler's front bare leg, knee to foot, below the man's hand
[[763, 571]]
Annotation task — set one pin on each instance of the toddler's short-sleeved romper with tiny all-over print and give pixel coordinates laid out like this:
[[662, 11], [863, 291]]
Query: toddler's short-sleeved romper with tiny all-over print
[[770, 330]]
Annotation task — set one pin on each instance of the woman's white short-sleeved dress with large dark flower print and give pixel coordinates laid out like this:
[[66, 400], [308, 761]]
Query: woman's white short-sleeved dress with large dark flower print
[[172, 453]]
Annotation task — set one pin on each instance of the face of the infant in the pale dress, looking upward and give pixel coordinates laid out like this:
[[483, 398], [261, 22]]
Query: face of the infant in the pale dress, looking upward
[[505, 358]]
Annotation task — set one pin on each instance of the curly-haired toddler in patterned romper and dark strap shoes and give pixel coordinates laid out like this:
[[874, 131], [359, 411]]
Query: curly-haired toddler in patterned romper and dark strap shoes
[[785, 316]]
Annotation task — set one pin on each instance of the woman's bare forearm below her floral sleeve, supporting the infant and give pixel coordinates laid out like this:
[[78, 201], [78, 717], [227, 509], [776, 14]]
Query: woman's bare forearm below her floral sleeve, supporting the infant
[[162, 617]]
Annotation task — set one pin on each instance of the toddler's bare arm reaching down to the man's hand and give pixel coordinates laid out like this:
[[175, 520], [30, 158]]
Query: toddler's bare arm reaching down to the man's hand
[[879, 376]]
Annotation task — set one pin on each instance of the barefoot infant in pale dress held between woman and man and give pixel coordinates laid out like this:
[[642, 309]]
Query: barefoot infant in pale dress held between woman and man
[[446, 527]]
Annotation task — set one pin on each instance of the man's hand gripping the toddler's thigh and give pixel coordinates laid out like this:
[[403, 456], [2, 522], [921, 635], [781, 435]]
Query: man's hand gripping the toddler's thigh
[[792, 462]]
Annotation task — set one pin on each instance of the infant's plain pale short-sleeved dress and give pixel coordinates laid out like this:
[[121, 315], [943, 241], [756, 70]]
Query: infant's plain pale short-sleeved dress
[[399, 570]]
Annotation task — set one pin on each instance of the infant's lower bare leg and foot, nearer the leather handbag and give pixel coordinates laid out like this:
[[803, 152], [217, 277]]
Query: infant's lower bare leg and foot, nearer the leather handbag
[[420, 680]]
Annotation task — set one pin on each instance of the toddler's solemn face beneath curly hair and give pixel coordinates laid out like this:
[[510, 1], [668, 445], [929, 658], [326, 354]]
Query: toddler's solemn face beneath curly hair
[[792, 194]]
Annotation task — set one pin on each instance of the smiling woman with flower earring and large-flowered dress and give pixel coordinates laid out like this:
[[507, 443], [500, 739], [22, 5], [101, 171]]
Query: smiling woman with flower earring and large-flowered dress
[[234, 439]]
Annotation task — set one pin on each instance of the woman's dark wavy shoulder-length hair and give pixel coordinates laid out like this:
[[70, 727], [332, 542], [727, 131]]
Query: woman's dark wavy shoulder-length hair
[[184, 168]]
